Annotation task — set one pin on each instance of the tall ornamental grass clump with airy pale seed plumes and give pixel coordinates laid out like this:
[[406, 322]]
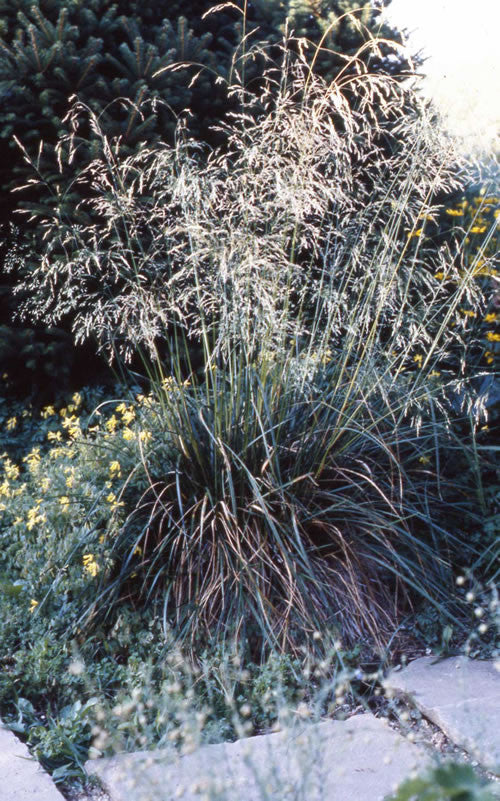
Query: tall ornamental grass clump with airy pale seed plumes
[[304, 364]]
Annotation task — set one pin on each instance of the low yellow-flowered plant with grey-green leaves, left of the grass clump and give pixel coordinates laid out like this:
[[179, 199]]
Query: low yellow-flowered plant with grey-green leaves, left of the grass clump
[[63, 502]]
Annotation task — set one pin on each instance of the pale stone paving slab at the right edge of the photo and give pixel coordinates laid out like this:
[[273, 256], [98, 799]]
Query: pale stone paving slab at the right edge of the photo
[[461, 696]]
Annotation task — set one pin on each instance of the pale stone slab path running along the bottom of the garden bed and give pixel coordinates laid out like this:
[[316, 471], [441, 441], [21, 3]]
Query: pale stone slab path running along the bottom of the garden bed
[[360, 759]]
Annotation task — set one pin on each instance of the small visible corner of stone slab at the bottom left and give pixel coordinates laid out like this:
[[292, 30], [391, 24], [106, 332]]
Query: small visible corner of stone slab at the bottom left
[[21, 777]]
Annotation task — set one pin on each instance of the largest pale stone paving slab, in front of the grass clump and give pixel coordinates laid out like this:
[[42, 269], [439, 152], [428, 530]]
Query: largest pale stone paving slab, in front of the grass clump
[[360, 759]]
